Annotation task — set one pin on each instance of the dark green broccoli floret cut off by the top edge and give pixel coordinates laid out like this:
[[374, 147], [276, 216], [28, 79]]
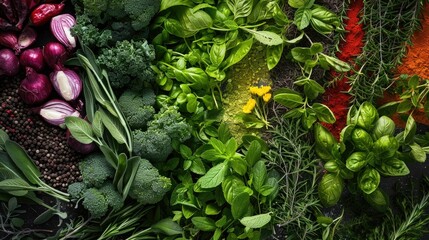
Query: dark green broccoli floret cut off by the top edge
[[141, 11]]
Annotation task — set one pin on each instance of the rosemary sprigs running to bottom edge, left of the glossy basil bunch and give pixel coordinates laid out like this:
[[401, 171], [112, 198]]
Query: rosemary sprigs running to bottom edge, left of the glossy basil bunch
[[292, 156]]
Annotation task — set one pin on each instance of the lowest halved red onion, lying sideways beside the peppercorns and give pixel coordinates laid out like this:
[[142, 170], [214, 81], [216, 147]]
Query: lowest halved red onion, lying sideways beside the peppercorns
[[55, 111]]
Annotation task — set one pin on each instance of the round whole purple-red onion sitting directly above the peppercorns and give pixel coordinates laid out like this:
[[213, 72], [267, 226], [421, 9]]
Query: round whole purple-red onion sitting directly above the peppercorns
[[35, 88]]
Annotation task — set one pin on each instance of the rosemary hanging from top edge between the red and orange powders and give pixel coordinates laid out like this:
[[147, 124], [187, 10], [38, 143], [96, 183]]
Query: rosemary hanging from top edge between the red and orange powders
[[388, 26]]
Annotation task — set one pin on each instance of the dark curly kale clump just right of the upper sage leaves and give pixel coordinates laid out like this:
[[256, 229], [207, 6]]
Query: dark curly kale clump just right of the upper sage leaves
[[128, 62]]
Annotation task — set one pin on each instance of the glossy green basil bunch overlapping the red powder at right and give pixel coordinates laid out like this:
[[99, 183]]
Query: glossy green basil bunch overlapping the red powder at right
[[368, 149]]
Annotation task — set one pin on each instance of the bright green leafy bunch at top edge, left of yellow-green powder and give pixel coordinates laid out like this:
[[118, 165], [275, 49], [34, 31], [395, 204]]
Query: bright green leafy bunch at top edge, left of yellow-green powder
[[198, 41]]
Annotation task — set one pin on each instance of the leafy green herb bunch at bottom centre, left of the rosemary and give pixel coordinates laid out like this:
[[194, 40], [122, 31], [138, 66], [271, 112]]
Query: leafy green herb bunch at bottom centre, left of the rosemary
[[223, 189]]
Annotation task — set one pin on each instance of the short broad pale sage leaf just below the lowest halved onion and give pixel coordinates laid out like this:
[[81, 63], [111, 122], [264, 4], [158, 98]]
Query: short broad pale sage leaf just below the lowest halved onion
[[80, 129]]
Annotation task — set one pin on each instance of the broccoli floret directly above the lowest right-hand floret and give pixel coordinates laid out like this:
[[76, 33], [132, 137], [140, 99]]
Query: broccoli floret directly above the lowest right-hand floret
[[154, 144]]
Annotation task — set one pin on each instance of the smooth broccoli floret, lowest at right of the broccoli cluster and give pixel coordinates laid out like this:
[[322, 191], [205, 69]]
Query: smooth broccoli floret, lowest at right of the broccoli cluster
[[149, 186]]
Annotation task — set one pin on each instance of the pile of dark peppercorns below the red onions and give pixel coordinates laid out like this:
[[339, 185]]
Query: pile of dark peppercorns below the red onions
[[45, 144]]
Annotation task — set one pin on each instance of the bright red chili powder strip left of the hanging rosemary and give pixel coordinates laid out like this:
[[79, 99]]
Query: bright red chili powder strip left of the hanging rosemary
[[336, 97]]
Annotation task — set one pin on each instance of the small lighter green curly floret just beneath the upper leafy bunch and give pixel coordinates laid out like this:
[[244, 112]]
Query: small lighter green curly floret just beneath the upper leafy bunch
[[170, 120]]
